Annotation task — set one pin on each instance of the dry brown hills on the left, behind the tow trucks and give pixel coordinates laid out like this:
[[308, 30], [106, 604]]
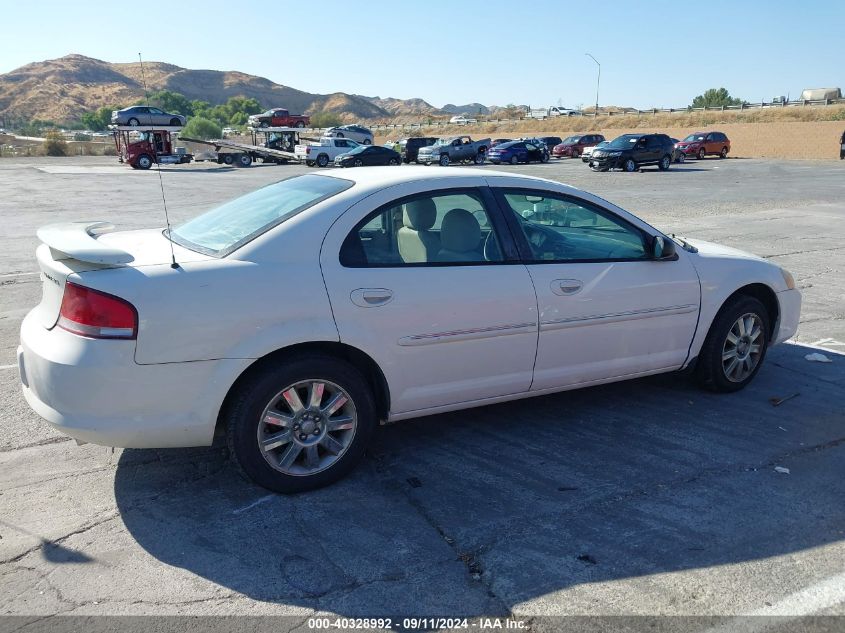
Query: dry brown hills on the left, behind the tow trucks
[[62, 89]]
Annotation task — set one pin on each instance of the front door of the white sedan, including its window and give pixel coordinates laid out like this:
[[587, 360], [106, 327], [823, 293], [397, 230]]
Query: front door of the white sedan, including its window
[[606, 309]]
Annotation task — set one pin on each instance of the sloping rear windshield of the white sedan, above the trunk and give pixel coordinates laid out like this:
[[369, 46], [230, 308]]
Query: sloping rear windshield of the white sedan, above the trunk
[[228, 227]]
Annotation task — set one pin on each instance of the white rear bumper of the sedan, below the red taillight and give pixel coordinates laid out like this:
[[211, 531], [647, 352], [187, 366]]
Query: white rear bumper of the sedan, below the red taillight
[[94, 391]]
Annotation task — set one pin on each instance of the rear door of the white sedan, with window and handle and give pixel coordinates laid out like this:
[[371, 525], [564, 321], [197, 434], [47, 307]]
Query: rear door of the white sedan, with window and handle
[[443, 332]]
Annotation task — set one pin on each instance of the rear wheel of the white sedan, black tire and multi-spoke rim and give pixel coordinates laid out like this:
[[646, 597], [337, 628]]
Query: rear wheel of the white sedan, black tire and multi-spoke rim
[[301, 424]]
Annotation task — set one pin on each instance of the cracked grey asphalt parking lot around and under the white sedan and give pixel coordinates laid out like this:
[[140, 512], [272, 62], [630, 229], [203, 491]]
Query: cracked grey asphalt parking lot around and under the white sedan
[[645, 497]]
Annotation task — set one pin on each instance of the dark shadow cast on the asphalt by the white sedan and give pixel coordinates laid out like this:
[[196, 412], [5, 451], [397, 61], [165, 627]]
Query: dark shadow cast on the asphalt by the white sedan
[[472, 512]]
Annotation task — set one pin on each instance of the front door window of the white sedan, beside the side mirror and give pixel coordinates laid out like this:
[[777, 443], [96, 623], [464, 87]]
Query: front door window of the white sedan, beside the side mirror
[[561, 229]]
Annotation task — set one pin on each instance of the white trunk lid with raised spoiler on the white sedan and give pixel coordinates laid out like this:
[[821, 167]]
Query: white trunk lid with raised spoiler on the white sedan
[[77, 247]]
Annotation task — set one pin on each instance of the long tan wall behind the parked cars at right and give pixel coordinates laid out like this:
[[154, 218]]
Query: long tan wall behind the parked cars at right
[[794, 139]]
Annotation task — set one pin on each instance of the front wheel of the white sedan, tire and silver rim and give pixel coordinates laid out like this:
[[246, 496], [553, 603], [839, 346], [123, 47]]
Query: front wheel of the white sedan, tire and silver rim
[[735, 347]]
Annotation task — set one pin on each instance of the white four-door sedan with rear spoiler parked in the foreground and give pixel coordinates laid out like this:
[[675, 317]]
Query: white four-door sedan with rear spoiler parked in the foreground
[[298, 317]]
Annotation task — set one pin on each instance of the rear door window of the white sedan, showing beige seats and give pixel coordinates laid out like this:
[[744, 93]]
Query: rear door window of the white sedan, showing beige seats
[[435, 229]]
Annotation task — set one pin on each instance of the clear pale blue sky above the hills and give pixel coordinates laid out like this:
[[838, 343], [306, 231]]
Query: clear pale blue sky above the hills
[[653, 53]]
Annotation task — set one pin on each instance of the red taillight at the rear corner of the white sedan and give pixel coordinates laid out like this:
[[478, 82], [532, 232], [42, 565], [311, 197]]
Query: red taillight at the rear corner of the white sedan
[[96, 314]]
